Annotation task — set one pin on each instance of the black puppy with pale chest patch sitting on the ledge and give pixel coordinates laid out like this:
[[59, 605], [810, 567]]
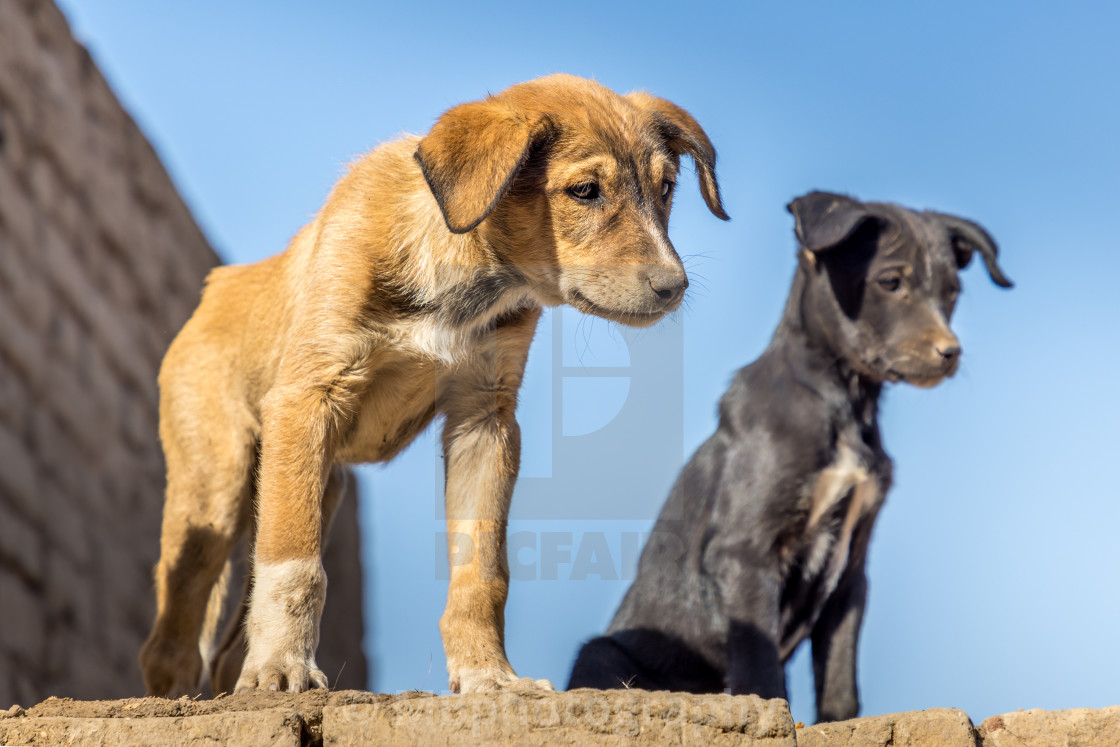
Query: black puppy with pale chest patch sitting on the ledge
[[763, 541]]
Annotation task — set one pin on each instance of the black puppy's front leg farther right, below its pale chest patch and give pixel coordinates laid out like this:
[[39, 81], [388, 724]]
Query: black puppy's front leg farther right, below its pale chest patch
[[835, 639]]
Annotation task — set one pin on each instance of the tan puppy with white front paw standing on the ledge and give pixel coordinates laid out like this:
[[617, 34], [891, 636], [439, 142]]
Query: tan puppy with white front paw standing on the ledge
[[415, 293]]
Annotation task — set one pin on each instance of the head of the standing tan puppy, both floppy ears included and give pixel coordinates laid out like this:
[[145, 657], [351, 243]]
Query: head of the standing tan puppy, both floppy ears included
[[573, 184]]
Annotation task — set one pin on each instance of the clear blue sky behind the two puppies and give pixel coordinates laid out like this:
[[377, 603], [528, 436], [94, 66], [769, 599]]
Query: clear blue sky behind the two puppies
[[994, 567]]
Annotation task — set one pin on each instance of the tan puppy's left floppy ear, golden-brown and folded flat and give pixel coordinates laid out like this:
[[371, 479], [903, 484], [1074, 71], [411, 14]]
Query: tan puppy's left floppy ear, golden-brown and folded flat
[[472, 156]]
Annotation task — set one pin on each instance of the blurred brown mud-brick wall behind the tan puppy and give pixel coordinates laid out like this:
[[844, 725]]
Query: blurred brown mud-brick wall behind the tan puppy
[[100, 265]]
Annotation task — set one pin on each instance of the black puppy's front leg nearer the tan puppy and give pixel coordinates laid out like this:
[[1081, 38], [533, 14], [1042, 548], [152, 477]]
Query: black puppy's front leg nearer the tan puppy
[[752, 593]]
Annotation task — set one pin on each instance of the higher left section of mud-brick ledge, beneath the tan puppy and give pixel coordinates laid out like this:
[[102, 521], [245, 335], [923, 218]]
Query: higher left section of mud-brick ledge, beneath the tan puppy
[[581, 717]]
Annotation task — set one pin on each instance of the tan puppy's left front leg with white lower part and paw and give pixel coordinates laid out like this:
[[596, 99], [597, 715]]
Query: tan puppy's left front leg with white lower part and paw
[[290, 584]]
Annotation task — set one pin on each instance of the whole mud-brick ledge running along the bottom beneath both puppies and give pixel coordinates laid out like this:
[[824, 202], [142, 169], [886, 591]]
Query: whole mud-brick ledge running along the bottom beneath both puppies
[[581, 717]]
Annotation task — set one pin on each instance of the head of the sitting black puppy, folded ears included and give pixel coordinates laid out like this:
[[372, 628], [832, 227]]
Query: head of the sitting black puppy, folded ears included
[[883, 284]]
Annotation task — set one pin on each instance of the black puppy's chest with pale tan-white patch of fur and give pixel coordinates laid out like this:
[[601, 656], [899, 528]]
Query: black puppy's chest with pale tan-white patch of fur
[[843, 501]]
